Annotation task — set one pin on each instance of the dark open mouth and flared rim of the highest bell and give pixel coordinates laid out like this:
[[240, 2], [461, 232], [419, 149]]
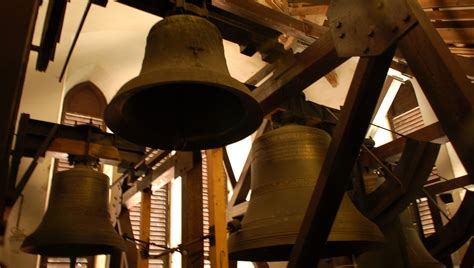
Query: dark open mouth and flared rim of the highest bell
[[190, 115]]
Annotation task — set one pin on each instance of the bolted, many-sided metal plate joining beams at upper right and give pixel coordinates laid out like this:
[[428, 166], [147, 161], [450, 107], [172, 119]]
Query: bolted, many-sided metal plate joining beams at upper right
[[367, 27]]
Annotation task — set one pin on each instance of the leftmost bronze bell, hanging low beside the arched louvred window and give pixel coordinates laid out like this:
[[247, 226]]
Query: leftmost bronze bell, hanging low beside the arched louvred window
[[77, 221]]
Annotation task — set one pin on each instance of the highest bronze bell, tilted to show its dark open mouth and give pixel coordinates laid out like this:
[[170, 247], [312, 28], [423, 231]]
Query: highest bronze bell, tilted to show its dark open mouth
[[184, 97]]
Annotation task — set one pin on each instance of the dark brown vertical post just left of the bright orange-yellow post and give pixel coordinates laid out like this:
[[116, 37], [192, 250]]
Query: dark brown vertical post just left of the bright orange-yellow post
[[192, 216]]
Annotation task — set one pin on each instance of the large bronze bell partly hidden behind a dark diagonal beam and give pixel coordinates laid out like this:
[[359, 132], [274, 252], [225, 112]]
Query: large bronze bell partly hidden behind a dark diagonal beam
[[285, 166]]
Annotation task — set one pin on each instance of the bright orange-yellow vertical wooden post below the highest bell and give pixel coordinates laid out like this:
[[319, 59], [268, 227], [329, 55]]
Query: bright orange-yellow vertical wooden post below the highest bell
[[217, 207]]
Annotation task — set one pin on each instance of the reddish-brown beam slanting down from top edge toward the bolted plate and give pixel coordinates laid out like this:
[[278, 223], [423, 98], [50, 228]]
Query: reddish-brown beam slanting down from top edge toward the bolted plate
[[268, 17]]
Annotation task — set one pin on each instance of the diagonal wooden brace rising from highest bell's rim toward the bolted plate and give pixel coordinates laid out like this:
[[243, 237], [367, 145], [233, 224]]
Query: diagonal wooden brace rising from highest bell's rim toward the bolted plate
[[309, 66]]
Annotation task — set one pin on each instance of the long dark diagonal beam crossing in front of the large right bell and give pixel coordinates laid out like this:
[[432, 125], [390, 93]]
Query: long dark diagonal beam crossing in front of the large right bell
[[342, 153]]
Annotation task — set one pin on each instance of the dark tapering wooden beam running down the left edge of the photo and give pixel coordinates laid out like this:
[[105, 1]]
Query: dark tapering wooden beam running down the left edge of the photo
[[14, 54]]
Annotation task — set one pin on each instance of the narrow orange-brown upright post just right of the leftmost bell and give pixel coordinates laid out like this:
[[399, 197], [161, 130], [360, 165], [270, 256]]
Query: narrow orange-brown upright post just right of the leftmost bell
[[145, 217]]
